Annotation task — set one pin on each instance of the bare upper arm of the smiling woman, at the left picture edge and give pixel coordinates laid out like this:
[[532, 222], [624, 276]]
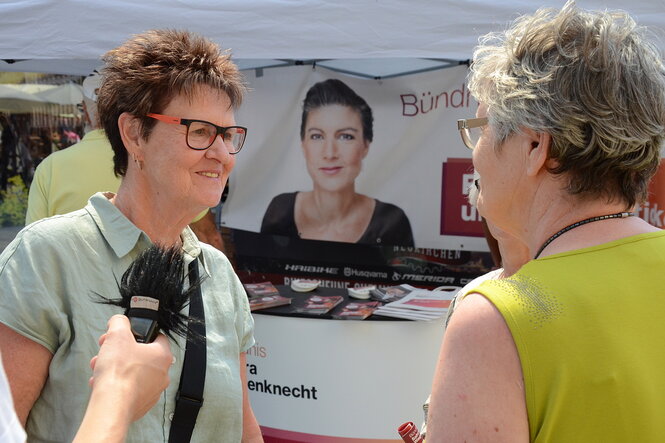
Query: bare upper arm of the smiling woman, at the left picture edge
[[26, 364]]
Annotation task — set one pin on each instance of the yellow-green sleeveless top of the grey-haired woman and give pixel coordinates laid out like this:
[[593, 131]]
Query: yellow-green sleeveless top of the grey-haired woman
[[589, 326]]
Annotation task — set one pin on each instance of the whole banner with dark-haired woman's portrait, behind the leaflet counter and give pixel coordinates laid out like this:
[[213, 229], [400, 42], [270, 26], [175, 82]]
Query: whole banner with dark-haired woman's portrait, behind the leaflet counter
[[415, 164]]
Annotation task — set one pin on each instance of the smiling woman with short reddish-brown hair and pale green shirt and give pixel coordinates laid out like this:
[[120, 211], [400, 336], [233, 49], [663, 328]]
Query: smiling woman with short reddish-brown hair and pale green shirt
[[166, 103]]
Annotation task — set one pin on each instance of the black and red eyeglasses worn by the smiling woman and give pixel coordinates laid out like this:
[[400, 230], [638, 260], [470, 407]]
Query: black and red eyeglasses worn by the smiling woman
[[202, 134]]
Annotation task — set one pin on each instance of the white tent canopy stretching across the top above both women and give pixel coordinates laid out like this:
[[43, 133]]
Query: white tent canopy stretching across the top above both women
[[68, 36]]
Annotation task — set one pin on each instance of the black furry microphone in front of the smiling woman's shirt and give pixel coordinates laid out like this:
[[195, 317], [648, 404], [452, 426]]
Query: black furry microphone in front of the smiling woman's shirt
[[153, 295]]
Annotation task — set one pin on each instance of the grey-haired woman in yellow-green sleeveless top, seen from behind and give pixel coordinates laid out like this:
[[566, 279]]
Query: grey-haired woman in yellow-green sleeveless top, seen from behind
[[569, 131]]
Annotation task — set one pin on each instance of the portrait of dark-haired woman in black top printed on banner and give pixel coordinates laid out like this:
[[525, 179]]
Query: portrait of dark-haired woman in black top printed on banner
[[336, 131]]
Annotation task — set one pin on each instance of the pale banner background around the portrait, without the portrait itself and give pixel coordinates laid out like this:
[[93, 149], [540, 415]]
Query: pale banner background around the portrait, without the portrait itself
[[414, 134]]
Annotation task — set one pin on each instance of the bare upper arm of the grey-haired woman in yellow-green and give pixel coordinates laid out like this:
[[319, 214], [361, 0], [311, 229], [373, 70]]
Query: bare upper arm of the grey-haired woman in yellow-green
[[478, 391]]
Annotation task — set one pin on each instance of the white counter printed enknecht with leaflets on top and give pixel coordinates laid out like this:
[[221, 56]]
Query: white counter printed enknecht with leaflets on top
[[313, 378]]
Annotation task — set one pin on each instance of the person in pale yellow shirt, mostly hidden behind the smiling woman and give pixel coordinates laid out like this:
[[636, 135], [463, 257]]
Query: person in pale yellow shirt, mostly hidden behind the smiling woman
[[65, 180]]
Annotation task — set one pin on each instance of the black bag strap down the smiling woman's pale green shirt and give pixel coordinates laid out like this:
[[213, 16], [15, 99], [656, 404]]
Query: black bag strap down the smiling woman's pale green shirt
[[189, 397]]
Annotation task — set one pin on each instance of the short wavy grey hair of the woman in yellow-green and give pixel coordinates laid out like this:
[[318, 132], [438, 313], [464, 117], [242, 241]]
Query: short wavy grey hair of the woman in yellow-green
[[589, 79]]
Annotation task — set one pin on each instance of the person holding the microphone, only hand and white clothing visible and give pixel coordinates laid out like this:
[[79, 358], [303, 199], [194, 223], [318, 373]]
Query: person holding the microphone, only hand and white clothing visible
[[127, 380]]
